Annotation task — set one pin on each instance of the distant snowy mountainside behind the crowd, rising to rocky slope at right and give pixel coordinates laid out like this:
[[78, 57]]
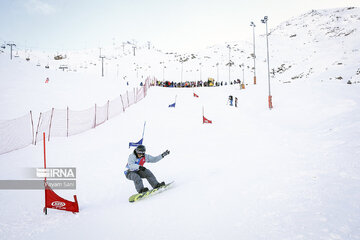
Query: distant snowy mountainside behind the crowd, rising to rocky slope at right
[[320, 45]]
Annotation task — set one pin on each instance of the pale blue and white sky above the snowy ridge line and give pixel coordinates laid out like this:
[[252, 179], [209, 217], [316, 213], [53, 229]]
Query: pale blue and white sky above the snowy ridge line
[[168, 24]]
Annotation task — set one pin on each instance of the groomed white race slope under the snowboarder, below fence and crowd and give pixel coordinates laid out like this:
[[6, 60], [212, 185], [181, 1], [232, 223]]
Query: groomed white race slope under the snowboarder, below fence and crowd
[[288, 173]]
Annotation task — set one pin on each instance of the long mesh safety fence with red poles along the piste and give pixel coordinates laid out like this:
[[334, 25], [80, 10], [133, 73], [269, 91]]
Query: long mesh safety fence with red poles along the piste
[[19, 133]]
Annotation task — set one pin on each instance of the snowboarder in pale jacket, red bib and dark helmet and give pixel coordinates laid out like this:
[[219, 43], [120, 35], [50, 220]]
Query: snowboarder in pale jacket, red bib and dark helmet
[[136, 171]]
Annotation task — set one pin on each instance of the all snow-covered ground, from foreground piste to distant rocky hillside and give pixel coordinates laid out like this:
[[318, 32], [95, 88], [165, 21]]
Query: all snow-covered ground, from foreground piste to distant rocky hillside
[[289, 173]]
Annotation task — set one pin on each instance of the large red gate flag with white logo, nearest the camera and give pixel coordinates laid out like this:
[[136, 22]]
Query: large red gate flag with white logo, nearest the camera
[[55, 201]]
